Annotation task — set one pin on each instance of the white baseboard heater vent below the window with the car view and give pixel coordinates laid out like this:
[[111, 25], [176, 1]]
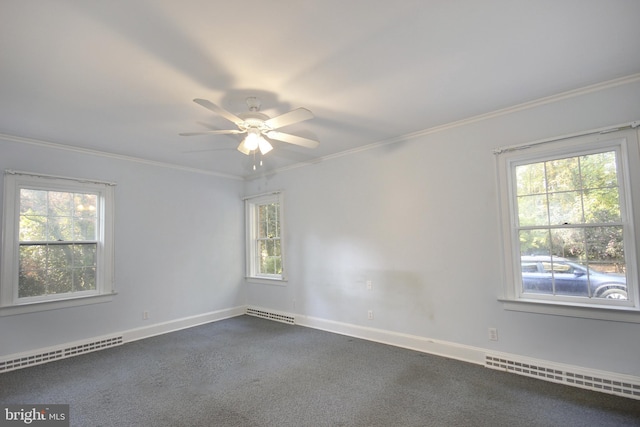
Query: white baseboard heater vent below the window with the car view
[[600, 383]]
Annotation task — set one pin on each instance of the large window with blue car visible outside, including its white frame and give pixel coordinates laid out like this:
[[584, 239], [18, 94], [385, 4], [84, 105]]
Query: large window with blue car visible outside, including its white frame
[[568, 221]]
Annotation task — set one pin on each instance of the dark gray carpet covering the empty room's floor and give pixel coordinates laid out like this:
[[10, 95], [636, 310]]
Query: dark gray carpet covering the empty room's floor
[[247, 371]]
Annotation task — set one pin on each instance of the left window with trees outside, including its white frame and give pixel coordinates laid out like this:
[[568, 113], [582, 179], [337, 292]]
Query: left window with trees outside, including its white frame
[[58, 242]]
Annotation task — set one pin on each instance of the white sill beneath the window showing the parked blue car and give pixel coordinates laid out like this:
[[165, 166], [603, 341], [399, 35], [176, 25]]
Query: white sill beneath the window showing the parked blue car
[[613, 314]]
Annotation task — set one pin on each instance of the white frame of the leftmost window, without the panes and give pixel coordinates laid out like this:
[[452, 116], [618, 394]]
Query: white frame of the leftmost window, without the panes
[[10, 303]]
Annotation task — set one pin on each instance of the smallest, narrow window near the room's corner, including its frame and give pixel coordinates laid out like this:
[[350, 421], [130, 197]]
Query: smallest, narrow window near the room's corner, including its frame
[[264, 237]]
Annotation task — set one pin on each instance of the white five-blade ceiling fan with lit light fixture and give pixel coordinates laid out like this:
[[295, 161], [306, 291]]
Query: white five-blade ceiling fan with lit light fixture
[[258, 126]]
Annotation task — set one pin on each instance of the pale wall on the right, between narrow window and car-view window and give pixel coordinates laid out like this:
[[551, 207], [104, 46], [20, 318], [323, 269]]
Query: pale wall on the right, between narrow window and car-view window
[[419, 218]]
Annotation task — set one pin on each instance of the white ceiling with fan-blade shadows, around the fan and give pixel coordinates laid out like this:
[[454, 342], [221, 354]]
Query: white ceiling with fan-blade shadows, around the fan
[[119, 76]]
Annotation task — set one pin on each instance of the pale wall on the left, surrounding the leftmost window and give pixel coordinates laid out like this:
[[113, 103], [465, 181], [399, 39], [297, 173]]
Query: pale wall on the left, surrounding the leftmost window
[[179, 247]]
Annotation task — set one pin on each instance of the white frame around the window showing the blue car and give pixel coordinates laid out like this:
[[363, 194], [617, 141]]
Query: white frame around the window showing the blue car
[[625, 143]]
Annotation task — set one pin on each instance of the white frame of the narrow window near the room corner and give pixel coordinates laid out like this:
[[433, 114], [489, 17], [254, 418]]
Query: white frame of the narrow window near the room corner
[[251, 217]]
